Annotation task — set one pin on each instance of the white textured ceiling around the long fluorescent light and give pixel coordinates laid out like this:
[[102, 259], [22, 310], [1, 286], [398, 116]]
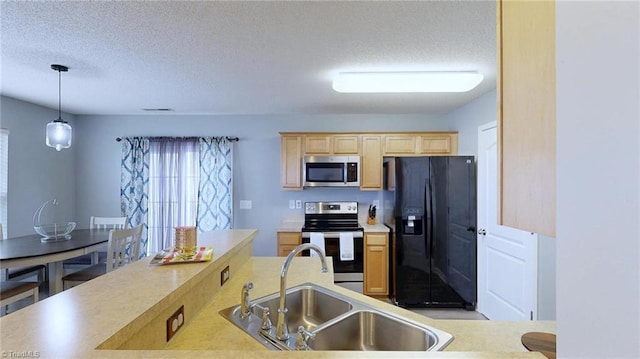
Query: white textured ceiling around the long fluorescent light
[[238, 57]]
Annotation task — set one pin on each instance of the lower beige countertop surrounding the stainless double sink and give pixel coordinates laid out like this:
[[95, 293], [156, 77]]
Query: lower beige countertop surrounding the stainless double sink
[[210, 331]]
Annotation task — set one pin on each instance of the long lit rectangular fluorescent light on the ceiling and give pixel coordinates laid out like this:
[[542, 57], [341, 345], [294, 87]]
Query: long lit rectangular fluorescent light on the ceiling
[[397, 82]]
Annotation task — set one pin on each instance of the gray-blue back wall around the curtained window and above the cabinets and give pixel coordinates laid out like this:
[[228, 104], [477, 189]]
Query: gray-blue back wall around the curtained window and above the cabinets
[[256, 157]]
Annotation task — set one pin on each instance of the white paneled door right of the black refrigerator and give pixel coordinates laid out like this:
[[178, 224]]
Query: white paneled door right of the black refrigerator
[[507, 257]]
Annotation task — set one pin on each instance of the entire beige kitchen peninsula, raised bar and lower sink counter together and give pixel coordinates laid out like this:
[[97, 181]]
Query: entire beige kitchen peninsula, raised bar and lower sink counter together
[[124, 313]]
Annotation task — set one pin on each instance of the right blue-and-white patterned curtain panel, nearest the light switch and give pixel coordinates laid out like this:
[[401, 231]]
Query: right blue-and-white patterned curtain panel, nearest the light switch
[[215, 192]]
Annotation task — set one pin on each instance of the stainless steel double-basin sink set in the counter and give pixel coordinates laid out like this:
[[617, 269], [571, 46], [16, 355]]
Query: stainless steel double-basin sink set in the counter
[[337, 322]]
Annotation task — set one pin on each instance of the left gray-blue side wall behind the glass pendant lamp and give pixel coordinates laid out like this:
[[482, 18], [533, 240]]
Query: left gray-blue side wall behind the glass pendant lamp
[[37, 173]]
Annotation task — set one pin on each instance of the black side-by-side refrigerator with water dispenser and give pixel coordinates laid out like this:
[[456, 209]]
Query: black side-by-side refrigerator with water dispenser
[[434, 253]]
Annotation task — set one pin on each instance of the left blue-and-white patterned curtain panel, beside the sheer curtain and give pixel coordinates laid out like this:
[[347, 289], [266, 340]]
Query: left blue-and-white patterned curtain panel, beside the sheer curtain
[[134, 183]]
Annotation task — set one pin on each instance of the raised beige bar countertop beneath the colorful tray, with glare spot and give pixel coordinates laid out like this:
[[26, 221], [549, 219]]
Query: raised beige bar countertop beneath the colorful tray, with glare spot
[[110, 308]]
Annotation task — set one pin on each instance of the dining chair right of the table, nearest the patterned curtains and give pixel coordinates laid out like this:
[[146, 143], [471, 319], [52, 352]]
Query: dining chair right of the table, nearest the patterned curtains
[[123, 248]]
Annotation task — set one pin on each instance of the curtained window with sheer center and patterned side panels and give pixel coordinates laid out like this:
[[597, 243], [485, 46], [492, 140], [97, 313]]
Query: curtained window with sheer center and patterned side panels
[[168, 182]]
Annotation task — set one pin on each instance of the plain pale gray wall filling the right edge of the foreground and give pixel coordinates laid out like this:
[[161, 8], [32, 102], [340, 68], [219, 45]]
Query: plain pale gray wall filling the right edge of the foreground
[[598, 179]]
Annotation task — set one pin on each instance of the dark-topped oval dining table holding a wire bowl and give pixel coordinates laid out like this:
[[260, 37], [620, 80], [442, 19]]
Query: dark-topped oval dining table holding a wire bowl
[[31, 250]]
